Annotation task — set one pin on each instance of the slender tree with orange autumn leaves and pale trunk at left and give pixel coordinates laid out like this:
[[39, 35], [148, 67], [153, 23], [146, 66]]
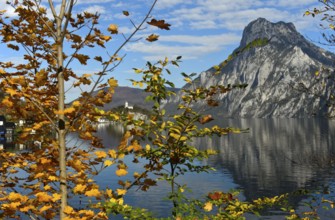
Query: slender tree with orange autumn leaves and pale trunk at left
[[50, 39]]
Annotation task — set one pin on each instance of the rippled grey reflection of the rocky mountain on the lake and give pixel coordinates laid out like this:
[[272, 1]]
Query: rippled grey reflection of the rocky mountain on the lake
[[276, 156]]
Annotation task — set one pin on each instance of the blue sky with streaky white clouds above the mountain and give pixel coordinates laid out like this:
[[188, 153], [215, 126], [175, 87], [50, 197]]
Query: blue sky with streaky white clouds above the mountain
[[203, 32]]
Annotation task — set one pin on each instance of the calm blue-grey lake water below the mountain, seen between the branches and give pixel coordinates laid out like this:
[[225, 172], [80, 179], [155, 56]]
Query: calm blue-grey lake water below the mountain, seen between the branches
[[276, 156]]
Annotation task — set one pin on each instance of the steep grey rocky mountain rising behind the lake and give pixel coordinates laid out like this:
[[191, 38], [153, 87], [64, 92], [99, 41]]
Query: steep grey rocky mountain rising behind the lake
[[275, 73]]
